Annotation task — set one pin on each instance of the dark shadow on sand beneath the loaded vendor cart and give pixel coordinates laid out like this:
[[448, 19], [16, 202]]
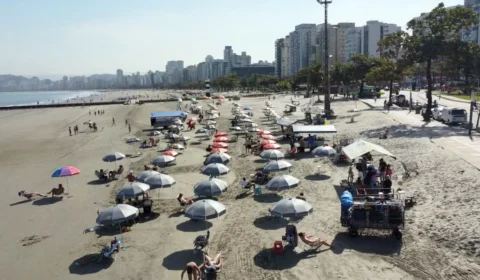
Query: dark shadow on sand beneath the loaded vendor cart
[[373, 244]]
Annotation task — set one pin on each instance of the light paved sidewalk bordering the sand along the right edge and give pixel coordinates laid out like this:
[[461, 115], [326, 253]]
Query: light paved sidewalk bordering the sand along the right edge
[[454, 139]]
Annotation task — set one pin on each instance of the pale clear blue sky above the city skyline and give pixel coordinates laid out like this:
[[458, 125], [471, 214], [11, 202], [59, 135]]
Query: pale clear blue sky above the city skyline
[[56, 37]]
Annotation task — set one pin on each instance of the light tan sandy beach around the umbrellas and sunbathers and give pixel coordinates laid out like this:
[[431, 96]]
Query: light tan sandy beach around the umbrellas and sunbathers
[[43, 238]]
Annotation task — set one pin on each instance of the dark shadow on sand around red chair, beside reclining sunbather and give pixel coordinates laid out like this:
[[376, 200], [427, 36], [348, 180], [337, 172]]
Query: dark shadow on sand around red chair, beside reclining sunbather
[[266, 259]]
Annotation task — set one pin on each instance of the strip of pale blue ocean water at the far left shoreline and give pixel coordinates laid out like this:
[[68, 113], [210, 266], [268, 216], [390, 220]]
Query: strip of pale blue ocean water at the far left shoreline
[[43, 97]]
